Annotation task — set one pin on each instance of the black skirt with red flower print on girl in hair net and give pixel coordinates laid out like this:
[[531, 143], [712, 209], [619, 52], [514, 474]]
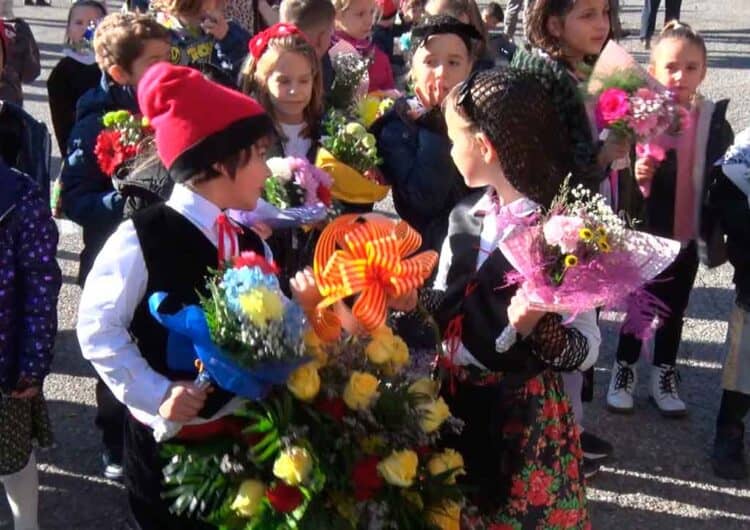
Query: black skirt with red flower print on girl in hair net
[[523, 455]]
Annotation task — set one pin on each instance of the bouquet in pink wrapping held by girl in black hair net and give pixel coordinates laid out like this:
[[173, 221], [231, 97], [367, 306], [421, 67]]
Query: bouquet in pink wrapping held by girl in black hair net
[[579, 256]]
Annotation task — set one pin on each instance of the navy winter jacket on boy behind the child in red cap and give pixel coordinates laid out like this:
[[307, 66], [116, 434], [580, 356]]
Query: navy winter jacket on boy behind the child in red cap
[[88, 197]]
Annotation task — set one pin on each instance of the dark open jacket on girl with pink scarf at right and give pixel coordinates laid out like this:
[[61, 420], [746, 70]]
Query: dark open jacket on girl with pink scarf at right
[[713, 137]]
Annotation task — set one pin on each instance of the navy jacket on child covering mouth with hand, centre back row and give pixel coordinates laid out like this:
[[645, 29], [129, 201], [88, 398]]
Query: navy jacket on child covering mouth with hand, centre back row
[[417, 164]]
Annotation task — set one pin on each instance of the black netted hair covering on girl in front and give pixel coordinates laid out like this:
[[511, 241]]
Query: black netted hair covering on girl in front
[[513, 109]]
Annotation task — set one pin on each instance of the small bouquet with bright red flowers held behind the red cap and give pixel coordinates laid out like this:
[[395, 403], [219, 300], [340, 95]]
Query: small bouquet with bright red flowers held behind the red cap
[[120, 140]]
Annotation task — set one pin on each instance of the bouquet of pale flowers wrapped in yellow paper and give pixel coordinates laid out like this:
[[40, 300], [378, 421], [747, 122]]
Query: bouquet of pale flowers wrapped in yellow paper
[[349, 154]]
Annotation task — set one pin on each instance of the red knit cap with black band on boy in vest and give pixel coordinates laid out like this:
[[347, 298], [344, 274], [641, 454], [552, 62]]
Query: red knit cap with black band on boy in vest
[[196, 121]]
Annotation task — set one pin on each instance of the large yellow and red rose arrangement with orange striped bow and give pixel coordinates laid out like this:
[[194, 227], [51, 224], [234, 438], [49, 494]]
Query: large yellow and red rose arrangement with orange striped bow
[[349, 443]]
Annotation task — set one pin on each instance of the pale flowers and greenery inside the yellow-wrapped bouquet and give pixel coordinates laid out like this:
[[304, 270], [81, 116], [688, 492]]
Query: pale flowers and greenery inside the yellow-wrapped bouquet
[[349, 142]]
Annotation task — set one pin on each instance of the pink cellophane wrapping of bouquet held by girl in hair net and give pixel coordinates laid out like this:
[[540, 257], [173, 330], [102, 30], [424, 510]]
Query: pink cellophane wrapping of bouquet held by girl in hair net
[[614, 281]]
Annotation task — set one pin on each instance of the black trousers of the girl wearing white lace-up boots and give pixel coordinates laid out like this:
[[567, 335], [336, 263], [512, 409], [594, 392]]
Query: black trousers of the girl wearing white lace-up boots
[[672, 287]]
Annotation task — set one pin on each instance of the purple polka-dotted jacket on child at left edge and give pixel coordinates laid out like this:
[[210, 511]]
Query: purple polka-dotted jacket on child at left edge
[[30, 279]]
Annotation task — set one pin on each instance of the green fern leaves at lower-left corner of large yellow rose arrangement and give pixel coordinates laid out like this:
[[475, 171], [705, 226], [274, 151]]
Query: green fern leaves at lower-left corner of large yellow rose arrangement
[[199, 478]]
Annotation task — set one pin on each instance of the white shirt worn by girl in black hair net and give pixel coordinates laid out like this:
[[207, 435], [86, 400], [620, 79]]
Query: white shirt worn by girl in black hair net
[[490, 239]]
